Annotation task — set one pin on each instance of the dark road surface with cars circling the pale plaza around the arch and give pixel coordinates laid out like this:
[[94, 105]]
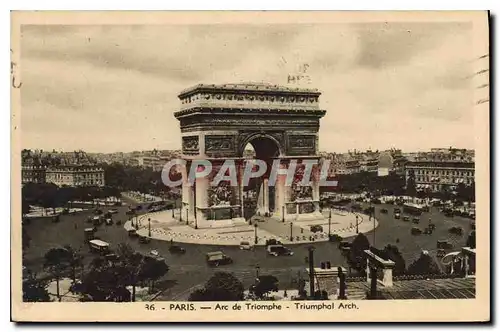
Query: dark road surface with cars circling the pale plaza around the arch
[[189, 271]]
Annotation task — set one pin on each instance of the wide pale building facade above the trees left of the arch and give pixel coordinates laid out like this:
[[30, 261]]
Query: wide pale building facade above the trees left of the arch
[[75, 176]]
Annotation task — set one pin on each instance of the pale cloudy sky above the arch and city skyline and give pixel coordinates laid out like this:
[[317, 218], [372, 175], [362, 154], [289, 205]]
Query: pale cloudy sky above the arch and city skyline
[[114, 88]]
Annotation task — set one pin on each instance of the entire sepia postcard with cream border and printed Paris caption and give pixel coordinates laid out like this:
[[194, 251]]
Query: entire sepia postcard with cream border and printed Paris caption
[[251, 166]]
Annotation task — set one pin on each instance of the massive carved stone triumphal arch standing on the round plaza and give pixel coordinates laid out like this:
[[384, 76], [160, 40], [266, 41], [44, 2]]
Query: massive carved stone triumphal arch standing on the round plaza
[[218, 121]]
